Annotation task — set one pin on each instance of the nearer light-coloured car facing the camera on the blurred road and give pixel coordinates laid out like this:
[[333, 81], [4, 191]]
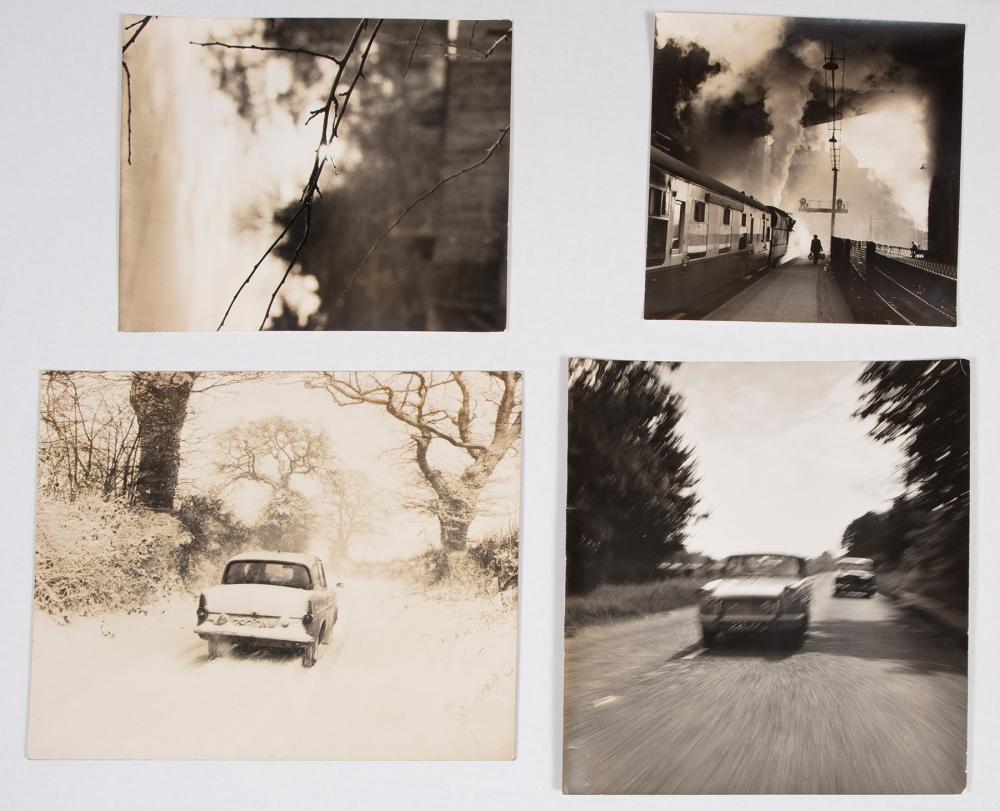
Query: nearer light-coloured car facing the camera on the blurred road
[[757, 593]]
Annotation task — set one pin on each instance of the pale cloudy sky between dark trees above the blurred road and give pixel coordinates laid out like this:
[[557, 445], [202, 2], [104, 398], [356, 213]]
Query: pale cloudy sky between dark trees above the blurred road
[[783, 465]]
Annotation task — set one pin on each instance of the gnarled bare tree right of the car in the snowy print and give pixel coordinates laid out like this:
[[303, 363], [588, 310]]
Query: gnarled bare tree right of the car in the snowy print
[[443, 409]]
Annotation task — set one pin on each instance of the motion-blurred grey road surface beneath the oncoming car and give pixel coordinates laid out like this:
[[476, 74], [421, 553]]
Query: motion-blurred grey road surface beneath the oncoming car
[[873, 703]]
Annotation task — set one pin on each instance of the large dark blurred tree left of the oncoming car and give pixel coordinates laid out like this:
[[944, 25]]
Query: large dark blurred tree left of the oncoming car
[[631, 480]]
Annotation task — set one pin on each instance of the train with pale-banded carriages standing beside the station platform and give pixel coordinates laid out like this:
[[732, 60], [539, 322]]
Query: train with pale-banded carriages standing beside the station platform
[[703, 237]]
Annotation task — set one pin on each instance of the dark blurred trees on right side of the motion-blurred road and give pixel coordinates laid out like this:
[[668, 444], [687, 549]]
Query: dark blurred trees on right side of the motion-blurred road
[[924, 405]]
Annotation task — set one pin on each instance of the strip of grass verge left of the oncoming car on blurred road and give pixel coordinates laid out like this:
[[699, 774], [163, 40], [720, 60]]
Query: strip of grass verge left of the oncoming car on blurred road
[[611, 602]]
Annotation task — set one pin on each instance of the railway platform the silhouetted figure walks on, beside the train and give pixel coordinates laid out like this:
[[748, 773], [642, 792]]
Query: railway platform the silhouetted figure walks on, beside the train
[[796, 292]]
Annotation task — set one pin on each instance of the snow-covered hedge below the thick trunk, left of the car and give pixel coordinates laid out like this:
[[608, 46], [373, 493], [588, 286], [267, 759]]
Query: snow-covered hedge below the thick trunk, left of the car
[[93, 556]]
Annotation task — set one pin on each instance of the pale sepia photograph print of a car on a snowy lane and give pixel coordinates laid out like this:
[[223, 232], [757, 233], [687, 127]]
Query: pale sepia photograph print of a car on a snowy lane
[[276, 566]]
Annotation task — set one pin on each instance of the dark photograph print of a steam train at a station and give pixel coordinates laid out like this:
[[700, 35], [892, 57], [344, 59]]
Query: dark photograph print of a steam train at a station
[[804, 170]]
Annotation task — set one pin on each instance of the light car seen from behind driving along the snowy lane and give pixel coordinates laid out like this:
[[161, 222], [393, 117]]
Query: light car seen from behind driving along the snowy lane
[[269, 599]]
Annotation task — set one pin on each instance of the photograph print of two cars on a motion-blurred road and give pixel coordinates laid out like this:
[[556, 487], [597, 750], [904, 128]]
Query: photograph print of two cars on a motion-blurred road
[[767, 578]]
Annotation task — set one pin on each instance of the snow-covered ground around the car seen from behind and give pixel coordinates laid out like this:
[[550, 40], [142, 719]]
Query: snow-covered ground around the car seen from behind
[[407, 676]]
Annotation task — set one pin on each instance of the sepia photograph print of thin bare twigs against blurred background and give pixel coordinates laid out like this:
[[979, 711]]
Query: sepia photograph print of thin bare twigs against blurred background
[[314, 174]]
